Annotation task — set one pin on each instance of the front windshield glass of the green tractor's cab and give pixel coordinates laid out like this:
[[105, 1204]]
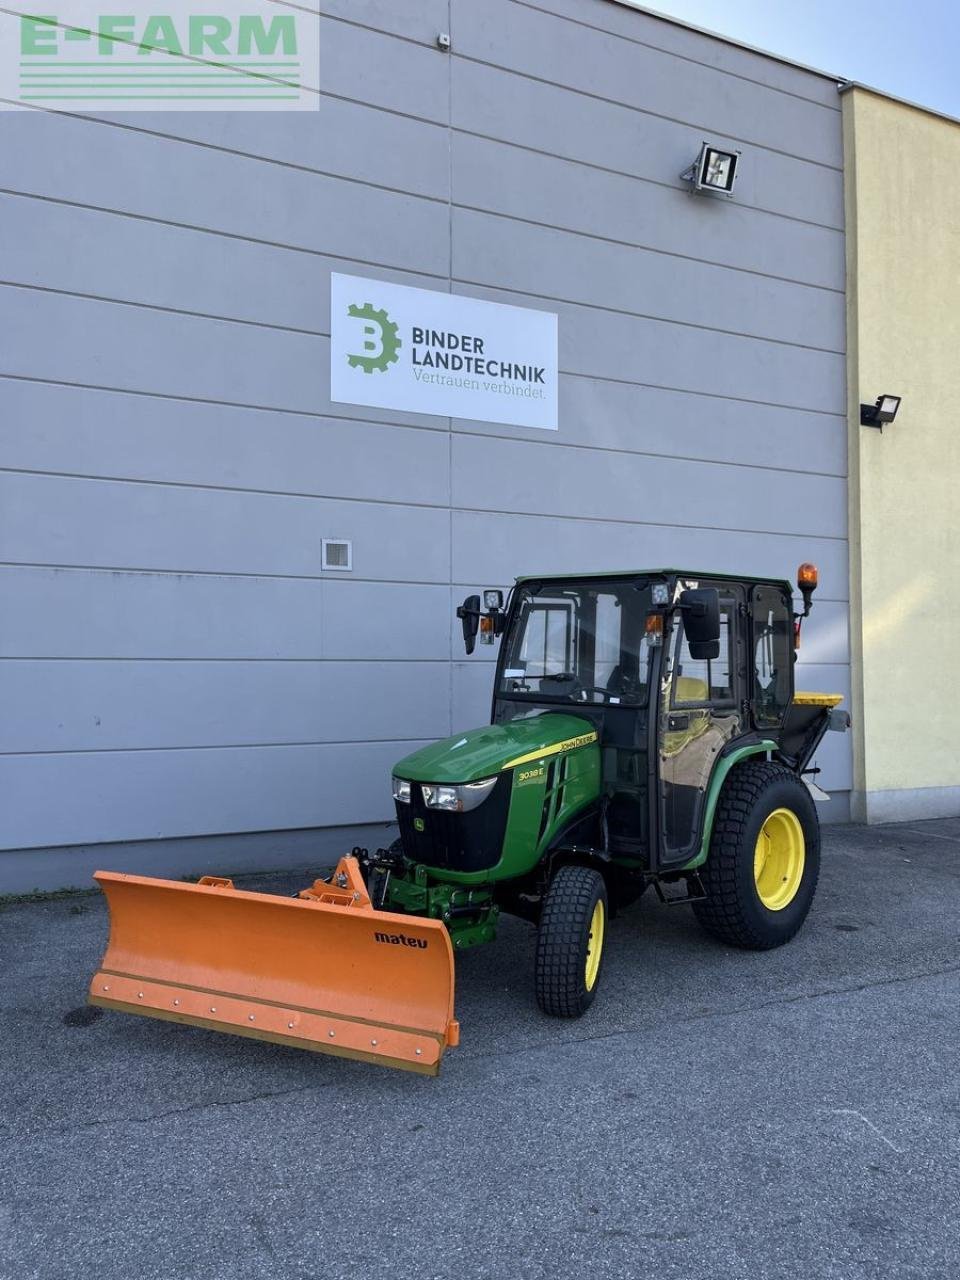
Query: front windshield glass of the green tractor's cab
[[580, 643]]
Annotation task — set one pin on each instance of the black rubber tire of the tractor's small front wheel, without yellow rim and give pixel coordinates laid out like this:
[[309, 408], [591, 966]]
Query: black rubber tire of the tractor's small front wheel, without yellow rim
[[564, 940]]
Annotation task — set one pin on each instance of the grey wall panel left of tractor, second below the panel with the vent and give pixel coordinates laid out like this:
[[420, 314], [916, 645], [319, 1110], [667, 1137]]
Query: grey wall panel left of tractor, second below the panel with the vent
[[109, 706]]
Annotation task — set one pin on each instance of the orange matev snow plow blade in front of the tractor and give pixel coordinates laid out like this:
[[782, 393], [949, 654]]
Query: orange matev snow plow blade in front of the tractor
[[323, 971]]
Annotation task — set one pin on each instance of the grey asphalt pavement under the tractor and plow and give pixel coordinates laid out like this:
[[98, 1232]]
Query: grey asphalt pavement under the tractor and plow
[[717, 1114]]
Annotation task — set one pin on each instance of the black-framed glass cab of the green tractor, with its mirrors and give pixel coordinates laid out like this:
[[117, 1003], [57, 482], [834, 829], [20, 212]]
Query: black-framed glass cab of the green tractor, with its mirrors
[[675, 671]]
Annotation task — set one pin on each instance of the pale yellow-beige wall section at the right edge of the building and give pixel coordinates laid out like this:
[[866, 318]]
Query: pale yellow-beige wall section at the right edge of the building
[[903, 218]]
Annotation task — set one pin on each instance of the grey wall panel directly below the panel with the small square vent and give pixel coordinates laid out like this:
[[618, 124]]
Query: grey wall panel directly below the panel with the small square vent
[[89, 614]]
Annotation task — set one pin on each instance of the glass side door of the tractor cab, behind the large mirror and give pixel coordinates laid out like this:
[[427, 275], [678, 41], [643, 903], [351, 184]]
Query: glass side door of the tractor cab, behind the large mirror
[[701, 712]]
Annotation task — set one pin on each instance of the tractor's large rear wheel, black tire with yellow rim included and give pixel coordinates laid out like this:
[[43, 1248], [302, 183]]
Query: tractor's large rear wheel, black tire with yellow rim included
[[765, 860]]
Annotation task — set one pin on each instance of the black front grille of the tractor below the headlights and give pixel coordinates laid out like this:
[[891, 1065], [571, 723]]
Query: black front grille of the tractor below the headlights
[[456, 842]]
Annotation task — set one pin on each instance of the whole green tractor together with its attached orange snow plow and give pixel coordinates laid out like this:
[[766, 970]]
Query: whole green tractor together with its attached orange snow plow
[[646, 733]]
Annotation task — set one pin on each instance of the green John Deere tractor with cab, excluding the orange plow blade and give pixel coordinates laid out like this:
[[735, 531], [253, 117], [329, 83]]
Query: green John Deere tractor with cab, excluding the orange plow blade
[[646, 732]]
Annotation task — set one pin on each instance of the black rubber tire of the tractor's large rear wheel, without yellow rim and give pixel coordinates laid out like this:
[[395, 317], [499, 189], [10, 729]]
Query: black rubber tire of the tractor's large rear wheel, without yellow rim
[[733, 909]]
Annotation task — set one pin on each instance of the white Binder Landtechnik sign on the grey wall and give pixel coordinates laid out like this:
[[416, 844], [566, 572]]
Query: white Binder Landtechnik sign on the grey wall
[[429, 353]]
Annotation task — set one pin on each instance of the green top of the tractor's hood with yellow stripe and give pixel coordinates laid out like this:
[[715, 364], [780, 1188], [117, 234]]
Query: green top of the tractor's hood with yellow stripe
[[483, 752]]
